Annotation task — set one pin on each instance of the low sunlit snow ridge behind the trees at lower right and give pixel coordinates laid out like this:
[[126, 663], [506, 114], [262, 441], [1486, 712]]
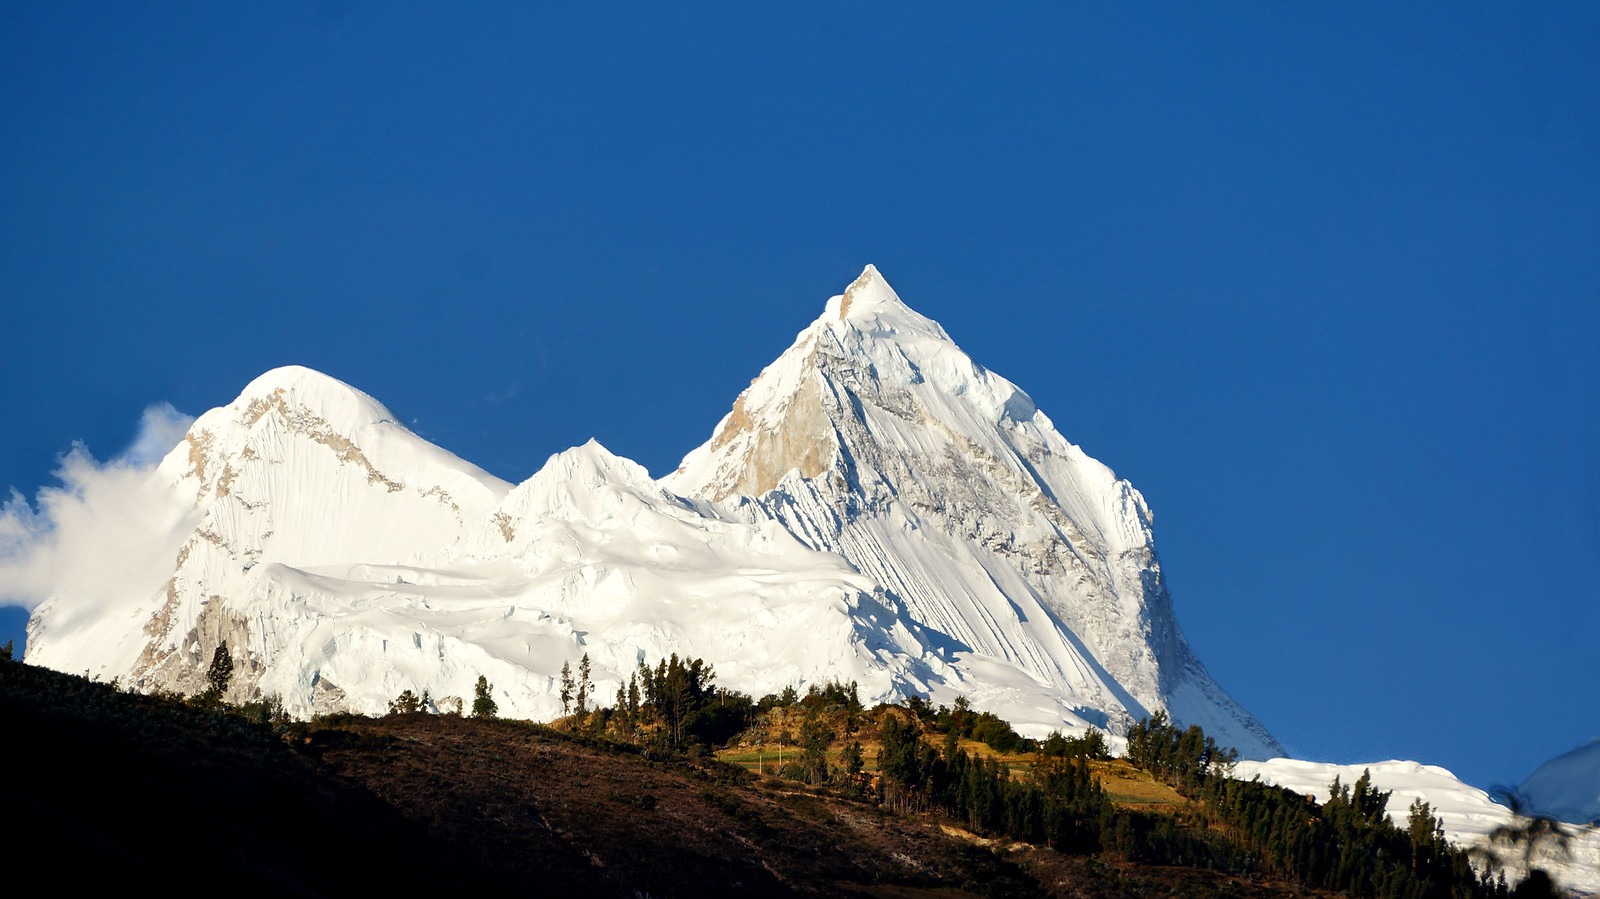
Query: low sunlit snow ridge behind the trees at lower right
[[1466, 813]]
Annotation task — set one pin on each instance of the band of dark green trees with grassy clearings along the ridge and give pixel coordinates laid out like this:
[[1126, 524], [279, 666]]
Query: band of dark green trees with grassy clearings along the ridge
[[1241, 828]]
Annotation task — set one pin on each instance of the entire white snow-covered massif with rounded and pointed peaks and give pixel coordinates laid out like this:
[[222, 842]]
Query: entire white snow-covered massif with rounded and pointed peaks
[[876, 508]]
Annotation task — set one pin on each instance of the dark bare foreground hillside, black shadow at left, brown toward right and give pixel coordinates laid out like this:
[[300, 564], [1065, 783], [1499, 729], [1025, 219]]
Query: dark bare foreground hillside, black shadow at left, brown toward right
[[114, 789]]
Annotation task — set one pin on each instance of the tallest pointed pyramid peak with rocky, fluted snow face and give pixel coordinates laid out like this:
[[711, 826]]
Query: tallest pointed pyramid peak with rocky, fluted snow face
[[878, 439]]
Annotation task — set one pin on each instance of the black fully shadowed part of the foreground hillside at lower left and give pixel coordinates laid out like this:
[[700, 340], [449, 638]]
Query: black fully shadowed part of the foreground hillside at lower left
[[111, 789]]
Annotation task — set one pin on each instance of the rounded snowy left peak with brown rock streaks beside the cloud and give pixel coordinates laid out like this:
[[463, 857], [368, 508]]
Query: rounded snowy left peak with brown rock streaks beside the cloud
[[298, 473]]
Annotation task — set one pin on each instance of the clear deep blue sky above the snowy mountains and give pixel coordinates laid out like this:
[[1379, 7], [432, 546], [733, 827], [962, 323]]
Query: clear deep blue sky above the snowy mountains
[[1324, 282]]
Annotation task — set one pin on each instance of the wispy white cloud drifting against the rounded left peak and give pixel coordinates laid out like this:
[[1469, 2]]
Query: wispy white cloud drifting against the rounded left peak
[[106, 530]]
